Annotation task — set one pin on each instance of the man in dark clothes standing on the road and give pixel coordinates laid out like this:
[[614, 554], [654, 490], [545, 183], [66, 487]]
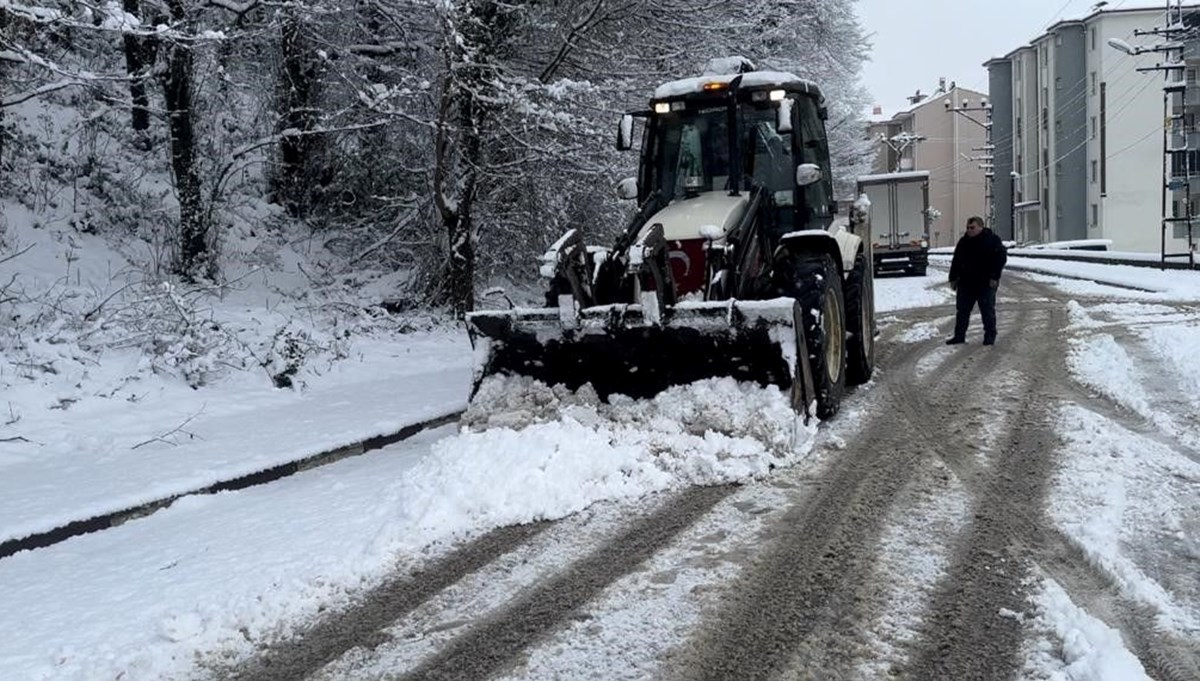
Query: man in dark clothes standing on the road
[[980, 258]]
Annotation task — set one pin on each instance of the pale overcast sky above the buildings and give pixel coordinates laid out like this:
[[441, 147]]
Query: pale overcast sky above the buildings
[[917, 41]]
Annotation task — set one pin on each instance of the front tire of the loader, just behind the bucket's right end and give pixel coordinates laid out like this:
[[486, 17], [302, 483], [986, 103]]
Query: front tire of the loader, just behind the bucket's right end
[[814, 281]]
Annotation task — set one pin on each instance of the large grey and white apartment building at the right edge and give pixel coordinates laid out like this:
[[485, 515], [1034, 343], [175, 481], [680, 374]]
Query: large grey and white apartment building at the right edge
[[1079, 135]]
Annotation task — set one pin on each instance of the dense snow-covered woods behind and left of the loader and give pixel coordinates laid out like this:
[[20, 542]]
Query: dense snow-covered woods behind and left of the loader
[[449, 138]]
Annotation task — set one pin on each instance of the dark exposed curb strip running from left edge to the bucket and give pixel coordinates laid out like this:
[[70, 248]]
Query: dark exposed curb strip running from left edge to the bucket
[[74, 529]]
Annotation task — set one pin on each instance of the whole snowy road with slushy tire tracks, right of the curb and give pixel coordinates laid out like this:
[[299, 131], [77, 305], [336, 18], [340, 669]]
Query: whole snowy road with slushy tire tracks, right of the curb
[[1029, 510]]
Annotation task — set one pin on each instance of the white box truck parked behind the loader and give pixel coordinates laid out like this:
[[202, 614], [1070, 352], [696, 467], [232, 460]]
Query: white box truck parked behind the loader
[[899, 221]]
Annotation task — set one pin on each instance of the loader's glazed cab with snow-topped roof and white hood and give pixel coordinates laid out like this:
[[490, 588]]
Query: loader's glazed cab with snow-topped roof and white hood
[[729, 149]]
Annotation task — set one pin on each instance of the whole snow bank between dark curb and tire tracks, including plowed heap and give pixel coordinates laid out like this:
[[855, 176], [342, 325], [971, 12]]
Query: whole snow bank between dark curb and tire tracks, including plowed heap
[[214, 577]]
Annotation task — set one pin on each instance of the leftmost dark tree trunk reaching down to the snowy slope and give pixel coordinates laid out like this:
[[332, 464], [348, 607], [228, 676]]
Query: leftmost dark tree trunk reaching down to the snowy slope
[[195, 260]]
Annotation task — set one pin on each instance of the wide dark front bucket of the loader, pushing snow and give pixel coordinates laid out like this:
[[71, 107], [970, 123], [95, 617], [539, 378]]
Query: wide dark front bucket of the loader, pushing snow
[[621, 351]]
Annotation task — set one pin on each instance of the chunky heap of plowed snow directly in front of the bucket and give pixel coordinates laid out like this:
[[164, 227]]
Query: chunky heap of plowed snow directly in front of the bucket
[[531, 453]]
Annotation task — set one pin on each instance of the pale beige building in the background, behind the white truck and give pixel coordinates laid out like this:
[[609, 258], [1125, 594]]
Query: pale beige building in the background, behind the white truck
[[949, 148]]
